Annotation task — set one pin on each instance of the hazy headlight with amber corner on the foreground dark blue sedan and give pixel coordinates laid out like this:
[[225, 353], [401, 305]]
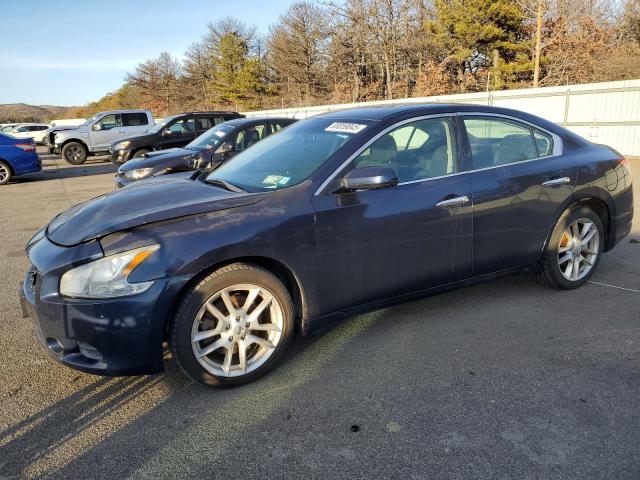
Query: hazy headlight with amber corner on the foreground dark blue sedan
[[107, 277]]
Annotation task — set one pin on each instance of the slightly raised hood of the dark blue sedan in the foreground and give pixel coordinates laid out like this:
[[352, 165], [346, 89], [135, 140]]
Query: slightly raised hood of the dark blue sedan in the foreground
[[154, 200]]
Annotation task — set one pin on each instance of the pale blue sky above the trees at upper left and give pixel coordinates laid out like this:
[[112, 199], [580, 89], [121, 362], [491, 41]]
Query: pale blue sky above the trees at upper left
[[71, 52]]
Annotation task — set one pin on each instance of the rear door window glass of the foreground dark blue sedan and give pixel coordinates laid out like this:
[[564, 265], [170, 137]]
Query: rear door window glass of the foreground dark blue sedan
[[499, 142]]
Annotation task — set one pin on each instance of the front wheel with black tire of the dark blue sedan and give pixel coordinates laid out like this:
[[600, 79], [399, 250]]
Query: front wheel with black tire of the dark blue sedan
[[233, 326]]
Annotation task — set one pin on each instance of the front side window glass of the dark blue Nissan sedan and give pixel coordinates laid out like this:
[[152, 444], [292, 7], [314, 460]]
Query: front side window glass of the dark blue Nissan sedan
[[418, 150]]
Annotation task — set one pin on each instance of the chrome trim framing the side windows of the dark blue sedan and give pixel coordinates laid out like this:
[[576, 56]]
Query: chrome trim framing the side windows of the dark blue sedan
[[557, 145]]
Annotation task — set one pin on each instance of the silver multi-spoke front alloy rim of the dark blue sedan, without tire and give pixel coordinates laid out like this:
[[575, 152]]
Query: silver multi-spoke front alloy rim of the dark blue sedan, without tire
[[237, 330]]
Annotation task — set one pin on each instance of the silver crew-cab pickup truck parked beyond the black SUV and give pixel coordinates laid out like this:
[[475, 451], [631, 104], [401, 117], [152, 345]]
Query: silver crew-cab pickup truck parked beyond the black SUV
[[96, 134]]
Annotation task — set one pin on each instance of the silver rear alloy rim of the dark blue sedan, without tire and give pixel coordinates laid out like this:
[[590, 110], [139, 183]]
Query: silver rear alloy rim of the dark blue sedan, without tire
[[578, 250]]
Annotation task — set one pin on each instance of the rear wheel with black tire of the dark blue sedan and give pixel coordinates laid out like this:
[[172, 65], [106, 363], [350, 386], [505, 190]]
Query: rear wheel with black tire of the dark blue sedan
[[574, 249]]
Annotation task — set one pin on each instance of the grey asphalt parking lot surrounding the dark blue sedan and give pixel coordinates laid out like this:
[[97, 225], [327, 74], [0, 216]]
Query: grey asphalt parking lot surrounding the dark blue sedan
[[507, 379]]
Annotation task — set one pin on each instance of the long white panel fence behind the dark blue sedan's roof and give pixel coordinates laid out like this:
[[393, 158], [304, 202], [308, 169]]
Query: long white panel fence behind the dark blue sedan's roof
[[606, 112]]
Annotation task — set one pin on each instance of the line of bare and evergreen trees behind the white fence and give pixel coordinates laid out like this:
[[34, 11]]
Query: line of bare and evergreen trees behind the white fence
[[358, 50]]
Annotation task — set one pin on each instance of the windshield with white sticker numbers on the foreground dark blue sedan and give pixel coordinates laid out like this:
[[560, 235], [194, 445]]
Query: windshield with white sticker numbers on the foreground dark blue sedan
[[288, 158]]
